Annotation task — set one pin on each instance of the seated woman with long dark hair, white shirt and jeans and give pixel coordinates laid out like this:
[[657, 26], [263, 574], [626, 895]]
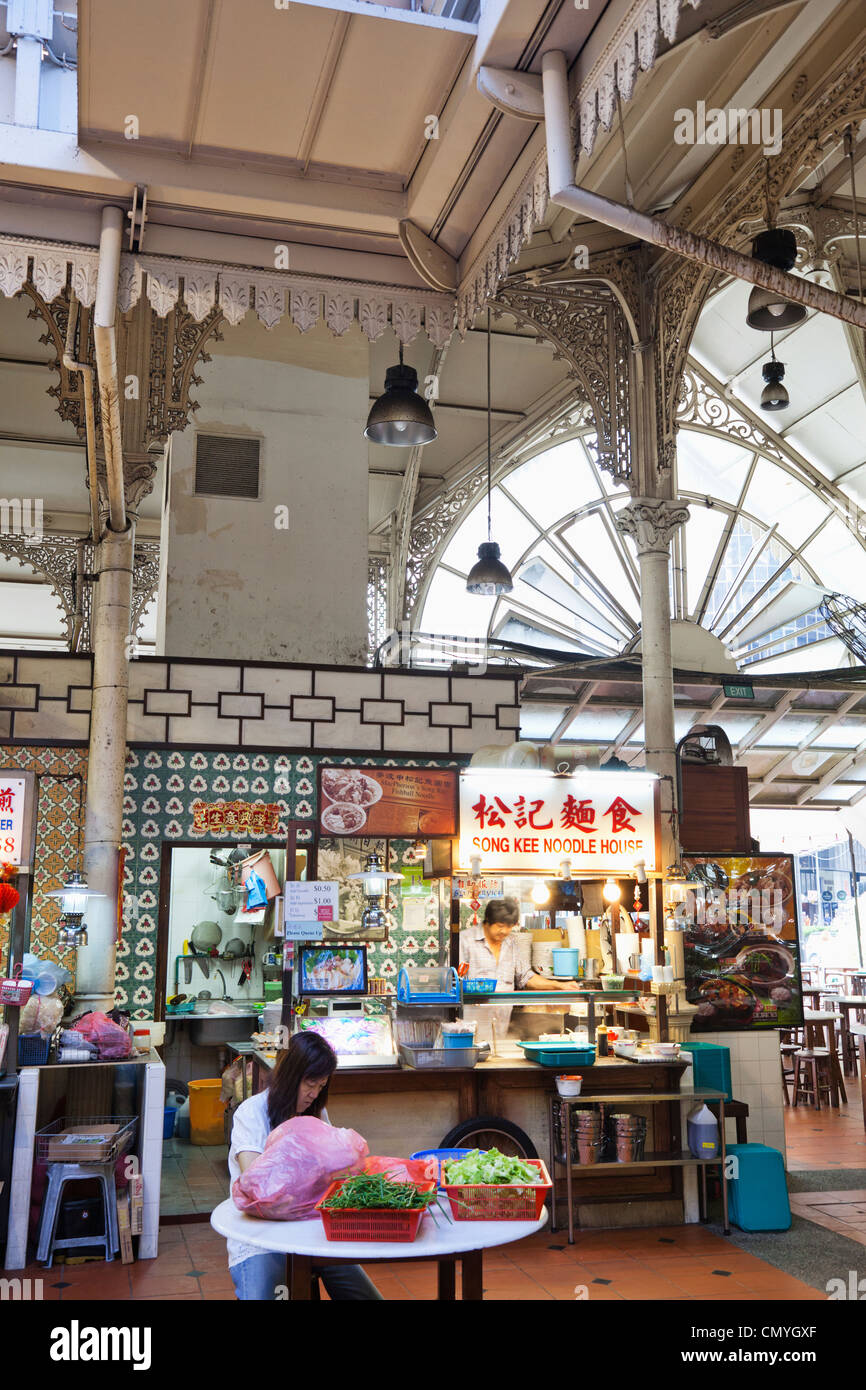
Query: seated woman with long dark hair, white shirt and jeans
[[300, 1086]]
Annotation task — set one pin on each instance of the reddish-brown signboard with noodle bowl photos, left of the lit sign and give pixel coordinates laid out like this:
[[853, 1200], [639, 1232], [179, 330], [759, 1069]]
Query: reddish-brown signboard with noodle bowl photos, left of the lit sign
[[397, 803]]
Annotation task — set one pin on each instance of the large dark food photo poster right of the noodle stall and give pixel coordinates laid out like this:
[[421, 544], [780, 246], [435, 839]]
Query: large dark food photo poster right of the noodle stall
[[743, 968]]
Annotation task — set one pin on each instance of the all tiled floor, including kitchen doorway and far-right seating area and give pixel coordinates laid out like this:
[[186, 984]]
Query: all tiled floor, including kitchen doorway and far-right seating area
[[683, 1264]]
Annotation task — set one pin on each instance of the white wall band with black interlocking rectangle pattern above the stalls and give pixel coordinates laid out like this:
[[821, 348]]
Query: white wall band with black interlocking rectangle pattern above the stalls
[[244, 705]]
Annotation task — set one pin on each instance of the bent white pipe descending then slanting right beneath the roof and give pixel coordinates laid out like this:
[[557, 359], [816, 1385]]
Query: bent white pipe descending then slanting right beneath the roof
[[655, 230]]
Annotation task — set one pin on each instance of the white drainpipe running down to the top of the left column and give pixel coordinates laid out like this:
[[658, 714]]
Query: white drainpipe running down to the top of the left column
[[105, 345]]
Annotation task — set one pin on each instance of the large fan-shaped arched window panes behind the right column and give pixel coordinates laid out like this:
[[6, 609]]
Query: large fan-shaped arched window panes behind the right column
[[768, 537]]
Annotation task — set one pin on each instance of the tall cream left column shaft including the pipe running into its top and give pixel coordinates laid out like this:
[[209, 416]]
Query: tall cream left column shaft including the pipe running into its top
[[112, 610]]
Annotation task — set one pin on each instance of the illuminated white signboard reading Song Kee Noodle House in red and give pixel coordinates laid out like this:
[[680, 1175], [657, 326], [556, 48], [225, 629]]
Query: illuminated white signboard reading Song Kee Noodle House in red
[[526, 822]]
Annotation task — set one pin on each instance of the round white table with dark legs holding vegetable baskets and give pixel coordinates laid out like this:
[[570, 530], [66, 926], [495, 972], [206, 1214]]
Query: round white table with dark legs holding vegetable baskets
[[304, 1242]]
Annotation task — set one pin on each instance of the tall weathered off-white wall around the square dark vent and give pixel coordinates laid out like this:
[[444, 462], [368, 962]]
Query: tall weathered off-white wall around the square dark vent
[[233, 583]]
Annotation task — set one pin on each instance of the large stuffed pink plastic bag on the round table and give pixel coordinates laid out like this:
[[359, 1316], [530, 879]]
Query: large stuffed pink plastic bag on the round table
[[301, 1160]]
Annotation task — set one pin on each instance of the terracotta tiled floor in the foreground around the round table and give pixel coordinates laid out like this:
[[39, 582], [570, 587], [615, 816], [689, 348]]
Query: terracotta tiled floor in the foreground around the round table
[[685, 1264]]
